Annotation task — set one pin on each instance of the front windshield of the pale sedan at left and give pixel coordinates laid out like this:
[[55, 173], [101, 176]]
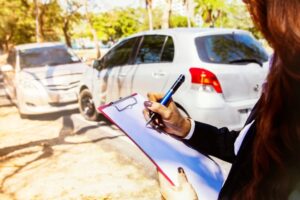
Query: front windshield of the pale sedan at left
[[51, 56]]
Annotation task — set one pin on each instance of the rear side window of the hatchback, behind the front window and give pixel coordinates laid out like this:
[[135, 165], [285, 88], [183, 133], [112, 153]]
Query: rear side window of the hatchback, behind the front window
[[151, 49]]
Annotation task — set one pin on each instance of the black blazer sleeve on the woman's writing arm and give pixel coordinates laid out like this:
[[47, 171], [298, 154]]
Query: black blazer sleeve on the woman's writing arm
[[213, 141]]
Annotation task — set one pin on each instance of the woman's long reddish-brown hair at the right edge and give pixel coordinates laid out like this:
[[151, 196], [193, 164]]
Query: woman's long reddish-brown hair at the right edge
[[276, 153]]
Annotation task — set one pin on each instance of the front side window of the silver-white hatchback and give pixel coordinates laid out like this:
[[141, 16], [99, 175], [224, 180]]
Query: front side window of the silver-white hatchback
[[120, 54]]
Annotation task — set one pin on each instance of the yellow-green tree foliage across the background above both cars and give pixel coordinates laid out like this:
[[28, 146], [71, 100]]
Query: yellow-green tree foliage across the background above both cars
[[66, 21]]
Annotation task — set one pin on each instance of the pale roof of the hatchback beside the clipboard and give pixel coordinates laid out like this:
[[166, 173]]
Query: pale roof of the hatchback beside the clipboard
[[190, 31]]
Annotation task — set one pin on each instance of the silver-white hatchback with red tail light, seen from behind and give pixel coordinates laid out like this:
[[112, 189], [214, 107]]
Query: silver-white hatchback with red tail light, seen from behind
[[224, 71]]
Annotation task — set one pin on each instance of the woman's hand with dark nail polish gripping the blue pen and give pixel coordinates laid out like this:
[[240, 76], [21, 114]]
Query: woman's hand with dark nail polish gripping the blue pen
[[172, 121]]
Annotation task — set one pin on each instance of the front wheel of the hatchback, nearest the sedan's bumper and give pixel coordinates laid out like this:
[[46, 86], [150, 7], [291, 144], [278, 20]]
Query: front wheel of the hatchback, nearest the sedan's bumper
[[87, 106]]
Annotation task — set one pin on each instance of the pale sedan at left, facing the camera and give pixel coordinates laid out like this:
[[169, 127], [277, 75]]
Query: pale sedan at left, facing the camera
[[43, 78]]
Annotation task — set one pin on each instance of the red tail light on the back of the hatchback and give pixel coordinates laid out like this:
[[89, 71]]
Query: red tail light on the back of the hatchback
[[205, 77]]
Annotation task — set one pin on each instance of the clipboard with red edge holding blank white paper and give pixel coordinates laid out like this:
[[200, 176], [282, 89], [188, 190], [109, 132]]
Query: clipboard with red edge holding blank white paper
[[165, 151]]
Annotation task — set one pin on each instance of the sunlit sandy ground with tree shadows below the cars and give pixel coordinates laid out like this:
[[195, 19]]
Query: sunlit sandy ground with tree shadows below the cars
[[54, 159]]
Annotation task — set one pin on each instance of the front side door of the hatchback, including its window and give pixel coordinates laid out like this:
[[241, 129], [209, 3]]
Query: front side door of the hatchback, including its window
[[109, 78]]
